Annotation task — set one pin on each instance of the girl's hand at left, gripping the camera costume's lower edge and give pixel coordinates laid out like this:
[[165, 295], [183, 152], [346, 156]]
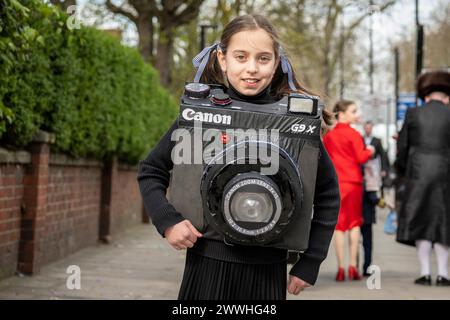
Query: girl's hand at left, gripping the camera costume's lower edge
[[182, 235]]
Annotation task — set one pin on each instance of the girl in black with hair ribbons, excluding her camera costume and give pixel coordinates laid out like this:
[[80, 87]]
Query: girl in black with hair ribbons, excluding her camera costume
[[248, 62]]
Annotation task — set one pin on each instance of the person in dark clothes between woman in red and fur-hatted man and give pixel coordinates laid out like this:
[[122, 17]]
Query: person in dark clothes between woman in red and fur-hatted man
[[375, 170]]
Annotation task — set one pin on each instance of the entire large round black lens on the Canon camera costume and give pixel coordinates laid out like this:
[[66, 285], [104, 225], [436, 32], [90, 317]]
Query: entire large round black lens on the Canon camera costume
[[243, 204]]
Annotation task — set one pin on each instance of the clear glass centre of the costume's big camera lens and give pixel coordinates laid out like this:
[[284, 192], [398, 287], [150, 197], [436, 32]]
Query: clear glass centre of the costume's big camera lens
[[251, 207]]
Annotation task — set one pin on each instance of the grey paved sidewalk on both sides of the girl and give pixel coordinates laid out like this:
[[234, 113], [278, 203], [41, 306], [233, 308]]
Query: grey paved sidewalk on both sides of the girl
[[139, 264]]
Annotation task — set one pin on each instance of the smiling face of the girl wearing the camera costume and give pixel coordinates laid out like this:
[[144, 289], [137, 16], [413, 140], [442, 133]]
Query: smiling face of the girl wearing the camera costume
[[249, 62]]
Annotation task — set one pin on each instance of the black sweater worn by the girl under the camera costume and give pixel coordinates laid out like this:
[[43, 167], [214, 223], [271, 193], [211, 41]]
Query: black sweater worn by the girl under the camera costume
[[154, 178]]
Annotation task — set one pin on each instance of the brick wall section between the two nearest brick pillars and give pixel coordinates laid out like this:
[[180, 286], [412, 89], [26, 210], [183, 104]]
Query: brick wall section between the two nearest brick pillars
[[73, 206]]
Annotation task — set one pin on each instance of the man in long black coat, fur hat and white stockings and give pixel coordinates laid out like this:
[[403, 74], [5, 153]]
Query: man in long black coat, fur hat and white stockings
[[423, 158]]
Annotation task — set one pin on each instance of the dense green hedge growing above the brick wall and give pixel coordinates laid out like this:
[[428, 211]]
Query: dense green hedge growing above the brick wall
[[97, 96]]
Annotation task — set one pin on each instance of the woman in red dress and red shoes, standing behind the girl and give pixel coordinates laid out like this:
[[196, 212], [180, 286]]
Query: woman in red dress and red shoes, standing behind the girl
[[348, 152]]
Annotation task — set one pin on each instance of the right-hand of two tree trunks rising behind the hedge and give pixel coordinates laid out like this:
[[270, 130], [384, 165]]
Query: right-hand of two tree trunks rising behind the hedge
[[164, 54]]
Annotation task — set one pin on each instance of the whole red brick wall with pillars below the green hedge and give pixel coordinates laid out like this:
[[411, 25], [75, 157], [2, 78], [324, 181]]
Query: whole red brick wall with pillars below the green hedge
[[52, 205]]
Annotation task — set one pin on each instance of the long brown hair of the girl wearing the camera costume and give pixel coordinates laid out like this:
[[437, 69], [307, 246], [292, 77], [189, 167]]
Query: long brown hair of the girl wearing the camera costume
[[280, 83]]
